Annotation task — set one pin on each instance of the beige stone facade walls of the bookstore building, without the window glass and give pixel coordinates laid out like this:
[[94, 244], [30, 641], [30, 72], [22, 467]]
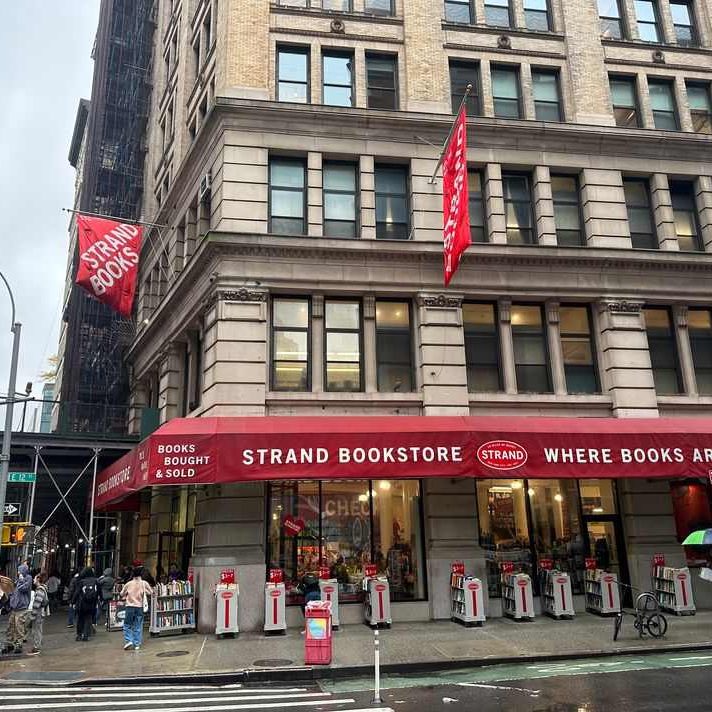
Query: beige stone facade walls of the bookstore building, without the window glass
[[204, 341]]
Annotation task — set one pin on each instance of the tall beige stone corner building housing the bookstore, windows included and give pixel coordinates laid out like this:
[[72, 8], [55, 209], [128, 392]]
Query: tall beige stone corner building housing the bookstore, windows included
[[299, 272]]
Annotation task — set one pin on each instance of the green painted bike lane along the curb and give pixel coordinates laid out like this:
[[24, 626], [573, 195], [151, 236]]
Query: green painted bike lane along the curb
[[487, 675]]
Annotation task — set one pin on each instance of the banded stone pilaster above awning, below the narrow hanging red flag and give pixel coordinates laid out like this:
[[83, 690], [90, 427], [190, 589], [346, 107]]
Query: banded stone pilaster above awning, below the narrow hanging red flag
[[442, 355]]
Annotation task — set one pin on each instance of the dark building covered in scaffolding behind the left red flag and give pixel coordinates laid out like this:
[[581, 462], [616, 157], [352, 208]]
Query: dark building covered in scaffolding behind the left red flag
[[94, 382]]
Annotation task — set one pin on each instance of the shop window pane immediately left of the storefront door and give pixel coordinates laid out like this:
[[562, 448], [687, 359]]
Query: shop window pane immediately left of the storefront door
[[556, 526]]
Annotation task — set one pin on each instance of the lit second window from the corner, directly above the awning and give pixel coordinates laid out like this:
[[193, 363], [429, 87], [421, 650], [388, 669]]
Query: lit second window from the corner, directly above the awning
[[342, 343]]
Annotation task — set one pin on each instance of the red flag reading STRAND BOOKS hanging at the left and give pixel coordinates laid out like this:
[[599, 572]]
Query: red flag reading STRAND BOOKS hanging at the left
[[108, 260]]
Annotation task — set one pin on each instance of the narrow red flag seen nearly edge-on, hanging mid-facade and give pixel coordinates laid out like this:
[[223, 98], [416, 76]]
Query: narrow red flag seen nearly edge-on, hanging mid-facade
[[456, 213]]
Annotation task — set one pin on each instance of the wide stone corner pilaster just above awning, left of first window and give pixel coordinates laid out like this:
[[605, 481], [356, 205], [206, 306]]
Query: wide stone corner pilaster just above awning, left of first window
[[235, 346]]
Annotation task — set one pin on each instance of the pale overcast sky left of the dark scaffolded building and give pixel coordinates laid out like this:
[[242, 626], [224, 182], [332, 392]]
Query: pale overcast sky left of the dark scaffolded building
[[45, 48]]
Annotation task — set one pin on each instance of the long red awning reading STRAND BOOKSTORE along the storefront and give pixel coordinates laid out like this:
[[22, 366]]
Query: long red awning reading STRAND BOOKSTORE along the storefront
[[209, 450]]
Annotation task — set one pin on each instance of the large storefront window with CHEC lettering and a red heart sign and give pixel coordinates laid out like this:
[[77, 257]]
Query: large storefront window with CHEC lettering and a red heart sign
[[348, 524]]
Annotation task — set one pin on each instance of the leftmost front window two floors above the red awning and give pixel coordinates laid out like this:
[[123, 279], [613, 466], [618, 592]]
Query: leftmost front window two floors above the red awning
[[287, 196]]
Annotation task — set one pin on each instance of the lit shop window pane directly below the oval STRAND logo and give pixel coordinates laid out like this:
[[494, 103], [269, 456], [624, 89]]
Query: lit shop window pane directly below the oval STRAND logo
[[504, 532]]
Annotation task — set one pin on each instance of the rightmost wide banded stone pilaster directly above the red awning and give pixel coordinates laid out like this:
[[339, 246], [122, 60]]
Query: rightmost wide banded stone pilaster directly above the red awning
[[628, 373]]
